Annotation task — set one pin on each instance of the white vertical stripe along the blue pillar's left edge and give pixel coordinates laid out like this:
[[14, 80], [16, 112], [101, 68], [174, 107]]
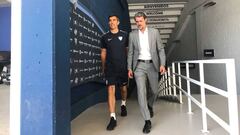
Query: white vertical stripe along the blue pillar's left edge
[[15, 88]]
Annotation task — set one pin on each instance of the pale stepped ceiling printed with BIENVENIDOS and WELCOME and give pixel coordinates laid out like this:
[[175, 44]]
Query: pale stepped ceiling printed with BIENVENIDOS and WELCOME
[[161, 14]]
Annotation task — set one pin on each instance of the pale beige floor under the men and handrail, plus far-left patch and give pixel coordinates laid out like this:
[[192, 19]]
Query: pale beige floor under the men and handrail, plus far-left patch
[[170, 118]]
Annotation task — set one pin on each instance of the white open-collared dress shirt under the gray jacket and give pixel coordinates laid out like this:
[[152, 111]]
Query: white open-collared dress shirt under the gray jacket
[[144, 53]]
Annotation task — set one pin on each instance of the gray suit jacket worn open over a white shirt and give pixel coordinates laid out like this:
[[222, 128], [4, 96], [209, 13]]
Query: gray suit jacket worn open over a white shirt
[[156, 49]]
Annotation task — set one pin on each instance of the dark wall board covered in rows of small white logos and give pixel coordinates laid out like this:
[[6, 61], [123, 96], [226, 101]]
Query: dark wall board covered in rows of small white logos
[[85, 34]]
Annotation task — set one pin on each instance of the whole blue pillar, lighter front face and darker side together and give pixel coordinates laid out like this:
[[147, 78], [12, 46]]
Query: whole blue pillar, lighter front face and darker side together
[[45, 87]]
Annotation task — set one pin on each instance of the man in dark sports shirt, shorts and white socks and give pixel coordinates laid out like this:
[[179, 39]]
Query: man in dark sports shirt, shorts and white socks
[[114, 65]]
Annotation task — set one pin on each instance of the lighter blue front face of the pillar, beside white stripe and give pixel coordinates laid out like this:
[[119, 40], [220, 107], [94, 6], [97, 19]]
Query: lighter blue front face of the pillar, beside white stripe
[[37, 68]]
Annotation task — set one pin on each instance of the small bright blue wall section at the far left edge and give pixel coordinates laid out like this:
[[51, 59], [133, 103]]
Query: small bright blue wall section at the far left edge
[[5, 28]]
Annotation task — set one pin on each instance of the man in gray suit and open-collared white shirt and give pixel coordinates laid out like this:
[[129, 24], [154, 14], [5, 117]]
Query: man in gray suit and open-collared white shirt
[[146, 58]]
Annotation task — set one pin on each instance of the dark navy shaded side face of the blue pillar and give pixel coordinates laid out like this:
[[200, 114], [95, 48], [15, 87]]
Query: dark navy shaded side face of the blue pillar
[[62, 85]]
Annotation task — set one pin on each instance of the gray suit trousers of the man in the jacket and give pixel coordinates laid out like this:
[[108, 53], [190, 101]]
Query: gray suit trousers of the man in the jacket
[[146, 75]]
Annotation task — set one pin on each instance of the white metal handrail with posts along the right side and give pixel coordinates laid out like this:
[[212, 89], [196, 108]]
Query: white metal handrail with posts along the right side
[[230, 93]]
